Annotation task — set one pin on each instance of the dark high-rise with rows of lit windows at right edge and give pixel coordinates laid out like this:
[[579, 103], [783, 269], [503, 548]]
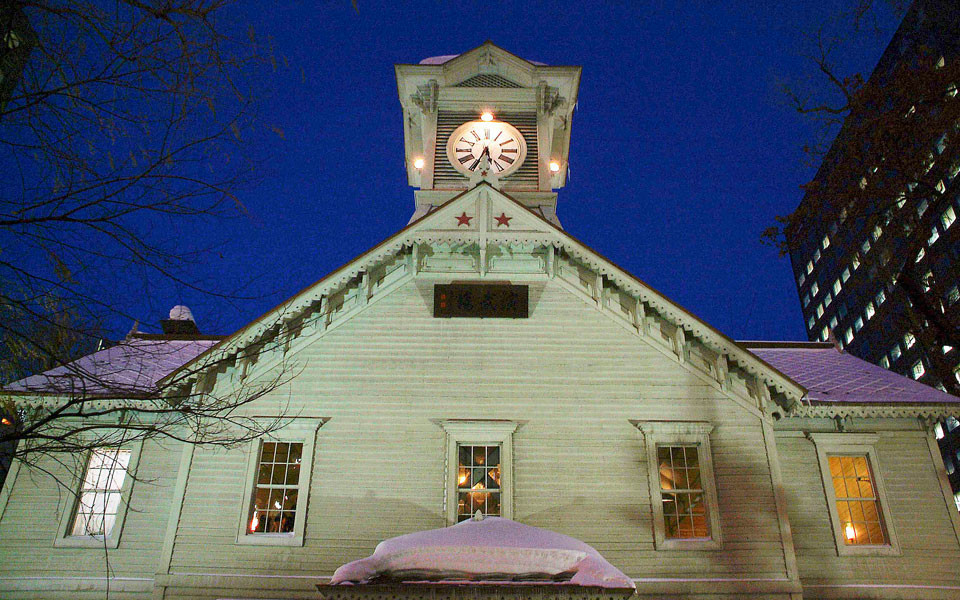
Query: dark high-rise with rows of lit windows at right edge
[[891, 173]]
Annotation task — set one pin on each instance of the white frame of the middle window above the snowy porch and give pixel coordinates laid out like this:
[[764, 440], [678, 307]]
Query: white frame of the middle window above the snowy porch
[[479, 433]]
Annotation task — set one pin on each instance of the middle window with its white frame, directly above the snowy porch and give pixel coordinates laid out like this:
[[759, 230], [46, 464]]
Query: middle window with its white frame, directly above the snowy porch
[[481, 467]]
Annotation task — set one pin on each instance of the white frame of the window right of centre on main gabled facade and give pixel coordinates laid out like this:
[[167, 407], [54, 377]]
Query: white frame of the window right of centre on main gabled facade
[[677, 433]]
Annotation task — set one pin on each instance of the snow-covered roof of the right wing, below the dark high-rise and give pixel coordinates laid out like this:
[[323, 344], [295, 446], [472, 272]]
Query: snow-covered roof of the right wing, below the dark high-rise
[[831, 376]]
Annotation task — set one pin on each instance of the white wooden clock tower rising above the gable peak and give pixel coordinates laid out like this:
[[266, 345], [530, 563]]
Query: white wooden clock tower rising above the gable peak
[[487, 115]]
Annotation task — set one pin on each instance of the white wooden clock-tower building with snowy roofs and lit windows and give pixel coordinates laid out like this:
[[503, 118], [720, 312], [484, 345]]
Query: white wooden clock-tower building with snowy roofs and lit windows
[[484, 360]]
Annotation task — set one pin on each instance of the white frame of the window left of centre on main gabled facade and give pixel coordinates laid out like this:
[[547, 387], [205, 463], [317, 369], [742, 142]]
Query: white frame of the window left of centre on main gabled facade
[[299, 431]]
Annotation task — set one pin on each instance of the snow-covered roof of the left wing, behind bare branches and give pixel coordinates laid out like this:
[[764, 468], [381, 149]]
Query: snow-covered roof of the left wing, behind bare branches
[[133, 366]]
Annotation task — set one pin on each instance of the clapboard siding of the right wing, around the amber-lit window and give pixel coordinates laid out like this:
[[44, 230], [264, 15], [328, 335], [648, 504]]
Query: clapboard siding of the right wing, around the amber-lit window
[[916, 507]]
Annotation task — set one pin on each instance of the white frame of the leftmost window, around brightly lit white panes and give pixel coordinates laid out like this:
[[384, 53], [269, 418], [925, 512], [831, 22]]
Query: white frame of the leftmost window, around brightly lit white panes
[[65, 539]]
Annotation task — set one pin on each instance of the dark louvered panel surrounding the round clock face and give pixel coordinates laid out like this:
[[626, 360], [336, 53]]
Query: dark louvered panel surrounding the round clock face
[[445, 176]]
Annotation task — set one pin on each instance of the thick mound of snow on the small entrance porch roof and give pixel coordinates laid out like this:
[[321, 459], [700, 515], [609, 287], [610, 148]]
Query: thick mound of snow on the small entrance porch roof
[[494, 550]]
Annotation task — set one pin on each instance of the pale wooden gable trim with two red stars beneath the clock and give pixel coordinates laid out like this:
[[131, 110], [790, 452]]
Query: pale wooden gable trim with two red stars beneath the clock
[[441, 226]]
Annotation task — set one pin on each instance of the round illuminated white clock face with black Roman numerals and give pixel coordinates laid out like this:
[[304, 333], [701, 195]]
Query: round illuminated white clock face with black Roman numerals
[[499, 141]]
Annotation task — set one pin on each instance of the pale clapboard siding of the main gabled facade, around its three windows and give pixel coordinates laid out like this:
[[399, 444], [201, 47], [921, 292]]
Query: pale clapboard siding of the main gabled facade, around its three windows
[[568, 374]]
